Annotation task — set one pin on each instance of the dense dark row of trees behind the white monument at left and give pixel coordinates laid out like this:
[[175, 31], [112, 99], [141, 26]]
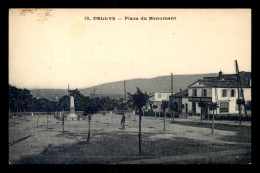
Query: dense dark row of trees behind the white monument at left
[[21, 100]]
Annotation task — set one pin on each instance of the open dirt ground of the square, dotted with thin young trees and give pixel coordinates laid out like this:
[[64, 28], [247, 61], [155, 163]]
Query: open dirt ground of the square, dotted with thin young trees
[[185, 141]]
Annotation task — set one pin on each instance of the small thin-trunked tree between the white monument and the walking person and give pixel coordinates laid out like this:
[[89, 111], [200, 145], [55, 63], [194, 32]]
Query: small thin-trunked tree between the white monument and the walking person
[[91, 107]]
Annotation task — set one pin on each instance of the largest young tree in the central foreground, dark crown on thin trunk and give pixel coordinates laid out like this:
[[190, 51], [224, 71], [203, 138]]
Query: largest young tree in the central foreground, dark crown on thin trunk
[[139, 101]]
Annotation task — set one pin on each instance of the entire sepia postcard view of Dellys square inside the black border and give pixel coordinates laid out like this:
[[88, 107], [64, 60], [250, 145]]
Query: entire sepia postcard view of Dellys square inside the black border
[[129, 86]]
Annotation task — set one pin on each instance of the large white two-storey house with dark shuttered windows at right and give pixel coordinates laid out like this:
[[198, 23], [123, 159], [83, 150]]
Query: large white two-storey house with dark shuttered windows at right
[[221, 89]]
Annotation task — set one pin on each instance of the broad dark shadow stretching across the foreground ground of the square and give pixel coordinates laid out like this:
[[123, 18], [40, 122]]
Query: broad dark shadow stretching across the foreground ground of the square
[[107, 148]]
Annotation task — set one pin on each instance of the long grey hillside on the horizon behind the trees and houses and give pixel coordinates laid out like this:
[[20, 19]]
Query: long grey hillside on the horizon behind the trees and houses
[[160, 84]]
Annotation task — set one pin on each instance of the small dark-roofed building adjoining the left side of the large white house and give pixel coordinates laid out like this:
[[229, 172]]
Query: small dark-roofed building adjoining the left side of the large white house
[[181, 98]]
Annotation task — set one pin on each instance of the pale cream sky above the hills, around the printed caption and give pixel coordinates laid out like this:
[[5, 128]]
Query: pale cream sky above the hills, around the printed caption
[[60, 48]]
